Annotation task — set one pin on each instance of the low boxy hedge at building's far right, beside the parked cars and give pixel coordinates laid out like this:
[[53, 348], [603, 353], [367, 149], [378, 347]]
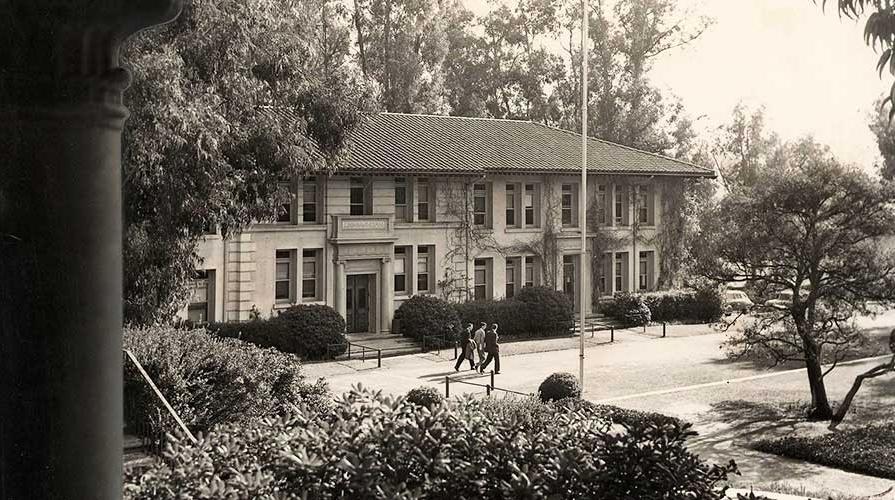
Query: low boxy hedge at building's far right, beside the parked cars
[[700, 306]]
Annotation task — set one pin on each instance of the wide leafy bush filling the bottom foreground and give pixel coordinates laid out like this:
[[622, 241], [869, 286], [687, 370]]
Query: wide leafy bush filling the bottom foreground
[[373, 446]]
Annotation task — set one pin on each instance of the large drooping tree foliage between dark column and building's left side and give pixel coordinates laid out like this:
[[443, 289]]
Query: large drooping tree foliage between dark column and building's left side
[[206, 145]]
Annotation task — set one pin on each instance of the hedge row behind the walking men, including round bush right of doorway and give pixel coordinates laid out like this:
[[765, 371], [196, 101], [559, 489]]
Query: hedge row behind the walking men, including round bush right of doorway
[[534, 312]]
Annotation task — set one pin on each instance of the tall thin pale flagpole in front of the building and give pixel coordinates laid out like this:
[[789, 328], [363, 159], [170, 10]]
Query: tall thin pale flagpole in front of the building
[[582, 198]]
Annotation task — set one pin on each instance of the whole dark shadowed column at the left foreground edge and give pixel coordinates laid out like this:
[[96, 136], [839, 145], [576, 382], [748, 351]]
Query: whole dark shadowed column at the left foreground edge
[[61, 117]]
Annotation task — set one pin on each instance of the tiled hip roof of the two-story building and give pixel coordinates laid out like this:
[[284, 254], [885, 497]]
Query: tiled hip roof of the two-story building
[[396, 142]]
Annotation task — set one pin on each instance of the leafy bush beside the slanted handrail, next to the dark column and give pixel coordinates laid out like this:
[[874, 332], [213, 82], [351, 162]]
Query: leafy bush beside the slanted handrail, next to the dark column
[[211, 381]]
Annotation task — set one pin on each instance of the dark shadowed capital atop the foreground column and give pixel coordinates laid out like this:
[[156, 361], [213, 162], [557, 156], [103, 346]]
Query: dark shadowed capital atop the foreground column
[[65, 52]]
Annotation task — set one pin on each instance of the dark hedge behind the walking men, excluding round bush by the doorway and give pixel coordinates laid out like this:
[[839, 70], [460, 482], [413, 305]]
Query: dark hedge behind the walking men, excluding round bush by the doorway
[[533, 312]]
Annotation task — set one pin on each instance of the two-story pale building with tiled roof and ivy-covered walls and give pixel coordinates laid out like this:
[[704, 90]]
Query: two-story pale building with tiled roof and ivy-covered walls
[[464, 208]]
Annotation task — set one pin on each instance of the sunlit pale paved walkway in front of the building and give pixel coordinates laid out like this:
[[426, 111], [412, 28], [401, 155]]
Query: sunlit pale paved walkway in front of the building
[[685, 374]]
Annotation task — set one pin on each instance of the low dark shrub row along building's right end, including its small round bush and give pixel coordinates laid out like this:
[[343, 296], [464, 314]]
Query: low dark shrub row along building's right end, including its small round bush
[[699, 306]]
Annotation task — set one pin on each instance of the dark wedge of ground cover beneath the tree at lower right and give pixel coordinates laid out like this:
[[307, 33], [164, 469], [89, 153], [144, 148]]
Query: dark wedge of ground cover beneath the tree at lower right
[[866, 450]]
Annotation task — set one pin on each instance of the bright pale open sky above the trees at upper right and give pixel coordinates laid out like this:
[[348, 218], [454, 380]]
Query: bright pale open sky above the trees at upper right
[[810, 70]]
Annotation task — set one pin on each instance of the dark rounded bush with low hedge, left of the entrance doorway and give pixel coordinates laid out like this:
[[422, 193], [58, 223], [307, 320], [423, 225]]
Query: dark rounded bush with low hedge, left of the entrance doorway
[[306, 330]]
